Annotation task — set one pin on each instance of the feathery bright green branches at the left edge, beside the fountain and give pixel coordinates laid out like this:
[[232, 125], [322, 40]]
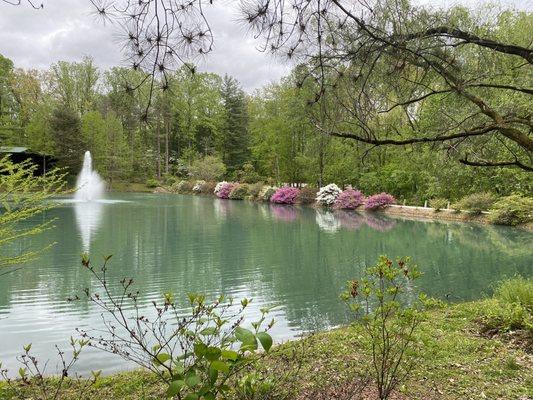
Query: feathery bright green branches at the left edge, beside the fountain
[[23, 196]]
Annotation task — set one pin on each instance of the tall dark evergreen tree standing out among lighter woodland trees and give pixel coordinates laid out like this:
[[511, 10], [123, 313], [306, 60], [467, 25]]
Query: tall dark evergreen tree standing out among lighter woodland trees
[[235, 142]]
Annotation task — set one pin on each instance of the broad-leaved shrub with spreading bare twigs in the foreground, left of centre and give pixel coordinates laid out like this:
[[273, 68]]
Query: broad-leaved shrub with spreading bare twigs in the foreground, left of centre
[[194, 353]]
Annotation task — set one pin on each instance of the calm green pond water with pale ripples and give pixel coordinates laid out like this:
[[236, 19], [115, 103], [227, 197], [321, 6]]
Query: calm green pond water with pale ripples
[[296, 258]]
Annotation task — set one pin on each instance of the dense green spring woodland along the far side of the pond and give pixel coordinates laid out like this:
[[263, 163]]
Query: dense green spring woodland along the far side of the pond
[[268, 135]]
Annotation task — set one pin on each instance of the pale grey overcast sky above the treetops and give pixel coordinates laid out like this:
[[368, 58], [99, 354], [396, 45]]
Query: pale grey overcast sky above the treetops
[[67, 30]]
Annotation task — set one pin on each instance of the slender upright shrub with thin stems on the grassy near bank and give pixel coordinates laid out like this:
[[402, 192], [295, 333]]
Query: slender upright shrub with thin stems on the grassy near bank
[[388, 324]]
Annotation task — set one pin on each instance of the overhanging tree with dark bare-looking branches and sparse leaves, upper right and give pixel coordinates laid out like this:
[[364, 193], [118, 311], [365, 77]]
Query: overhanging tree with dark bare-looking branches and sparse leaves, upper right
[[384, 62]]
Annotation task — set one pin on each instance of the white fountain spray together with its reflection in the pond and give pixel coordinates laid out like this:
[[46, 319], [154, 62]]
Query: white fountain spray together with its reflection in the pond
[[89, 189]]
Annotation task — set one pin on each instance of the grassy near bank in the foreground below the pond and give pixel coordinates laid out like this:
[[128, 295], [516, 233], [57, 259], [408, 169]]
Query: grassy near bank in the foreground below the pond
[[457, 360]]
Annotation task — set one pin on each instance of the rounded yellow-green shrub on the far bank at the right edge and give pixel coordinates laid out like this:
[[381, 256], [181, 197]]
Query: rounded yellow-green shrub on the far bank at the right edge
[[512, 210]]
